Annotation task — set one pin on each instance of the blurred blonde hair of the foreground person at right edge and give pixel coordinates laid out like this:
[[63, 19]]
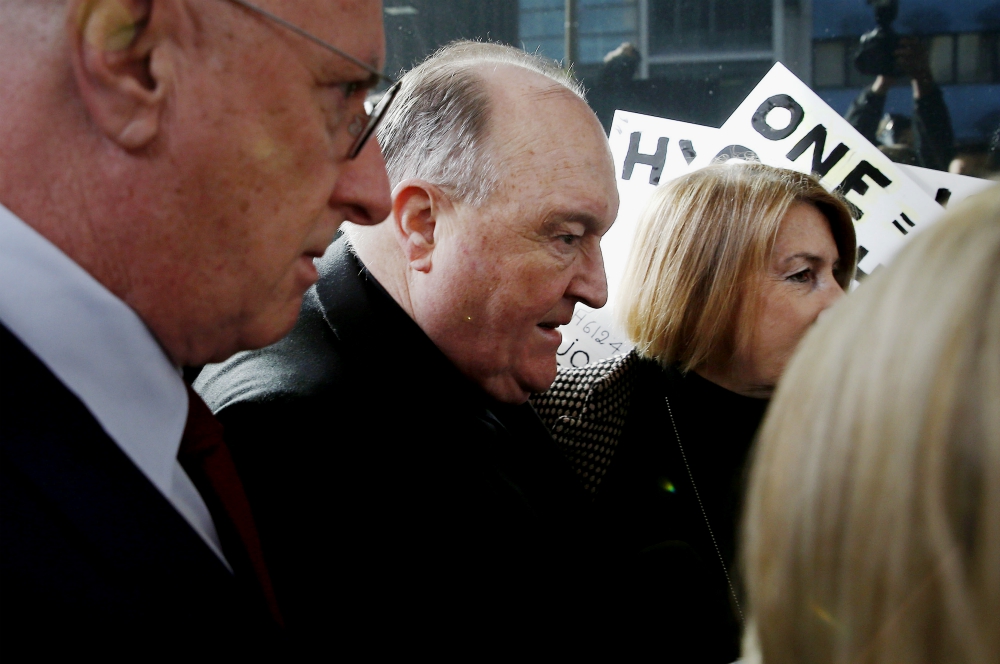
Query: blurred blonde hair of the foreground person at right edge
[[872, 524]]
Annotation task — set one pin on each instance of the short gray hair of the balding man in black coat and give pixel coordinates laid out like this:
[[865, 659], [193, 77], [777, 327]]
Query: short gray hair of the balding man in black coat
[[438, 126]]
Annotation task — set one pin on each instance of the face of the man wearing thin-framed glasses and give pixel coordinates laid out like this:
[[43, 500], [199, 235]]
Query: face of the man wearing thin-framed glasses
[[264, 150]]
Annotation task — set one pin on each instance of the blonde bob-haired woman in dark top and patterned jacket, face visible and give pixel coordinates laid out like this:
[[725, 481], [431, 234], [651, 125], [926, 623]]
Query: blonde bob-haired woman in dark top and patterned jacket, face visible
[[730, 266]]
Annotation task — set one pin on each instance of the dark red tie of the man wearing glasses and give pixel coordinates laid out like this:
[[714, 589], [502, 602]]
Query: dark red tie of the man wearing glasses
[[205, 458]]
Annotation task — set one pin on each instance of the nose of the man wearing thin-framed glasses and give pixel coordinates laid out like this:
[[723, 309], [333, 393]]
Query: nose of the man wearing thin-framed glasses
[[362, 189]]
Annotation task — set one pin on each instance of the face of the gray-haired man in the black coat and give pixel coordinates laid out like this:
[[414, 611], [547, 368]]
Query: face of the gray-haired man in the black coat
[[511, 271]]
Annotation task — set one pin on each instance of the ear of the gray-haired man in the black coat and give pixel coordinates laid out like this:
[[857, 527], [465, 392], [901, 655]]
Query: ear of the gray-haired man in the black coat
[[416, 207]]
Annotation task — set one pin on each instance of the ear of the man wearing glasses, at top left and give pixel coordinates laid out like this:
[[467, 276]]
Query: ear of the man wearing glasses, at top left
[[117, 70]]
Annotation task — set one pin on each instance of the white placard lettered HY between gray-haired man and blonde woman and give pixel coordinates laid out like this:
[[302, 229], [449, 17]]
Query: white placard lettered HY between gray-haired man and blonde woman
[[647, 151]]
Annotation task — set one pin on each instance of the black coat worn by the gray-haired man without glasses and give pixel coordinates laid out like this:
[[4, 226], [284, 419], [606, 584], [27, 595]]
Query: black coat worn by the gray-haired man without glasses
[[392, 494]]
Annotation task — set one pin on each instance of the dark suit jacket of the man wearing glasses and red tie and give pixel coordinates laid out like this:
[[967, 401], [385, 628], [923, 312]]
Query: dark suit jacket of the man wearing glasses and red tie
[[90, 552]]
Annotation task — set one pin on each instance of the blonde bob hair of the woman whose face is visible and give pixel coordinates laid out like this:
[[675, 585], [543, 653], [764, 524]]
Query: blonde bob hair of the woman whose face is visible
[[702, 243]]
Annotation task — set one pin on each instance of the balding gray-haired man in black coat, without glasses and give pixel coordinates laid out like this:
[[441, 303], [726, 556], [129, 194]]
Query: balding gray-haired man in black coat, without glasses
[[388, 440]]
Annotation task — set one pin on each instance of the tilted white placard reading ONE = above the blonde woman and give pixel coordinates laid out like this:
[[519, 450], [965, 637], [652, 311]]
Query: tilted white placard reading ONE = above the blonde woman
[[786, 124]]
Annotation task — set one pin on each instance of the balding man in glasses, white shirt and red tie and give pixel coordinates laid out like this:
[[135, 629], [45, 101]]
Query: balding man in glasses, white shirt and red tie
[[169, 169]]
